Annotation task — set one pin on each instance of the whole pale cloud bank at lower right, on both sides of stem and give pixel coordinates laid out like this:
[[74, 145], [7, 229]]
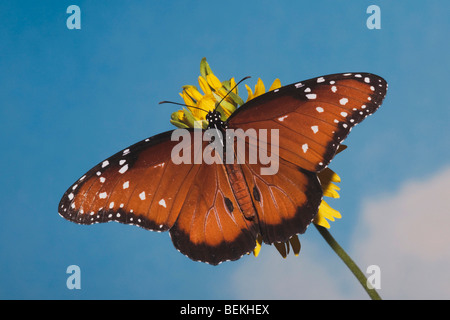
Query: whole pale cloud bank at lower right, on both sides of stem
[[406, 234]]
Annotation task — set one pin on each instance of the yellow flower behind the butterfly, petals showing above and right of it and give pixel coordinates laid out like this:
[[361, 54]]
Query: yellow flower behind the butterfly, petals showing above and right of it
[[214, 91]]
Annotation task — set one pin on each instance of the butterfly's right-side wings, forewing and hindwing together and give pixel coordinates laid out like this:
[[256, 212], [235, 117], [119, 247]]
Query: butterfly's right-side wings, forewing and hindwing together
[[312, 119]]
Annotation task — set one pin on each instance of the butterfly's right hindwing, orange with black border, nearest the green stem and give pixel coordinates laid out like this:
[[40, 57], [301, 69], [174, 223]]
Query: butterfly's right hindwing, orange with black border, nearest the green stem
[[286, 201]]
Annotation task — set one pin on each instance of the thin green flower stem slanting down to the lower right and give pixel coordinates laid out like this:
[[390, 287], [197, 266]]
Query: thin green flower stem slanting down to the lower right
[[348, 261]]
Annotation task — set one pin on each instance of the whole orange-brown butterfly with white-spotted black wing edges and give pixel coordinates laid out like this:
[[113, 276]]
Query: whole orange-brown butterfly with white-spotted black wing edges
[[214, 212]]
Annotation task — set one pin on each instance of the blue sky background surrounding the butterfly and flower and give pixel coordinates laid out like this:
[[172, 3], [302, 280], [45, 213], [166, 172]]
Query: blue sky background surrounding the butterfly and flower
[[71, 98]]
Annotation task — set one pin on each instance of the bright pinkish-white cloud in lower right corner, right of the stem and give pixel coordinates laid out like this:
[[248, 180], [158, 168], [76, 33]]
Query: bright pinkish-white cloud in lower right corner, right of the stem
[[408, 235]]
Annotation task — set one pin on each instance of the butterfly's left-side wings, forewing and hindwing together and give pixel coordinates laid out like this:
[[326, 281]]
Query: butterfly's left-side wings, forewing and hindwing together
[[141, 185]]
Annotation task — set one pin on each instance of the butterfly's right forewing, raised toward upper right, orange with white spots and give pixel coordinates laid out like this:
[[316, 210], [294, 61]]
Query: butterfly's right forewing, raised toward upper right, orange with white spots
[[314, 116]]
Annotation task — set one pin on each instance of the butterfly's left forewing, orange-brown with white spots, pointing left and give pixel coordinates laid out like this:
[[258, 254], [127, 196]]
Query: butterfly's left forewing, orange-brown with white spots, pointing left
[[138, 185]]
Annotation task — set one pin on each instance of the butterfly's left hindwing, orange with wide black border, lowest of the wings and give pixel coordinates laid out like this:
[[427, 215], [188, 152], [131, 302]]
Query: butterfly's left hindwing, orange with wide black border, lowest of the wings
[[211, 226]]
